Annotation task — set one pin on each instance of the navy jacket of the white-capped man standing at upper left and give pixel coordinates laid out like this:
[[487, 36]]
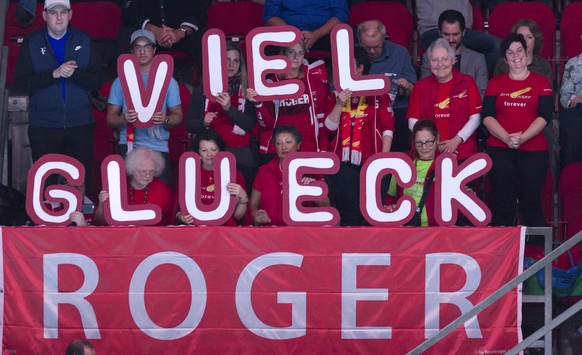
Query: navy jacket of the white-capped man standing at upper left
[[36, 62]]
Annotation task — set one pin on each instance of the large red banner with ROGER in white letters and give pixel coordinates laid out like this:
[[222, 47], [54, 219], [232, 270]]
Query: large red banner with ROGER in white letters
[[257, 290]]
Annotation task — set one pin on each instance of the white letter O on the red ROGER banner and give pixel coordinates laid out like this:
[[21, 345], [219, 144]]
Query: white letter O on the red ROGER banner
[[137, 293]]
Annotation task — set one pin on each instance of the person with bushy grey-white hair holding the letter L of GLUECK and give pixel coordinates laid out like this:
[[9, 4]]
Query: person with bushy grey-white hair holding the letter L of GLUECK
[[143, 167]]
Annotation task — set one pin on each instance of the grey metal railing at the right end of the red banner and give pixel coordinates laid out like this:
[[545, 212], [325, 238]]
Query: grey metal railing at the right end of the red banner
[[549, 323]]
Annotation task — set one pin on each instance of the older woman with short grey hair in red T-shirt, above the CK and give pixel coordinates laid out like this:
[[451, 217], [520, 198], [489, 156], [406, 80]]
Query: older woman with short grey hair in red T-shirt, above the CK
[[451, 99]]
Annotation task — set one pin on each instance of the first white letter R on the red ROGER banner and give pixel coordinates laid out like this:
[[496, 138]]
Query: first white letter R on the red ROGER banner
[[53, 298]]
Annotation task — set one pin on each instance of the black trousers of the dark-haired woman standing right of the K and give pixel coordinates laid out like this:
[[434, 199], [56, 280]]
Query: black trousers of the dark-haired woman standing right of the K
[[517, 177]]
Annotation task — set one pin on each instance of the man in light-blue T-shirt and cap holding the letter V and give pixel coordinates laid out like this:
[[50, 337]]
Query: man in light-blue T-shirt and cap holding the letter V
[[143, 46]]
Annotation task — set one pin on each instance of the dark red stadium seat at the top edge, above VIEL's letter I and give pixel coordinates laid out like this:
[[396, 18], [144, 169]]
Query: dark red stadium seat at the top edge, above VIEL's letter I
[[235, 19]]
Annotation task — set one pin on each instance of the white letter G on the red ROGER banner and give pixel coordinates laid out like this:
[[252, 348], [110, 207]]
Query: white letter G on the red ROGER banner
[[297, 300]]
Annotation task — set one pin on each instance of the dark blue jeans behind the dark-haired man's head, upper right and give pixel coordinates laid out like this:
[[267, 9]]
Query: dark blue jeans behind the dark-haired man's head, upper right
[[478, 41]]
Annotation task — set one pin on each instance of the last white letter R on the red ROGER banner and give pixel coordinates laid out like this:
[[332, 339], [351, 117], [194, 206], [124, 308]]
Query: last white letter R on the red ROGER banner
[[435, 297]]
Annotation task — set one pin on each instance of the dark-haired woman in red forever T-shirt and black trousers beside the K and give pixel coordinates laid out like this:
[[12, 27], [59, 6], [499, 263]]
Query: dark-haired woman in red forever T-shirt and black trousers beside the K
[[517, 107]]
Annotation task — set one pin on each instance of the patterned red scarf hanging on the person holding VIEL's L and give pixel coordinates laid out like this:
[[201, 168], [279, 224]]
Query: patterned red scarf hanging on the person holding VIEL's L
[[351, 122]]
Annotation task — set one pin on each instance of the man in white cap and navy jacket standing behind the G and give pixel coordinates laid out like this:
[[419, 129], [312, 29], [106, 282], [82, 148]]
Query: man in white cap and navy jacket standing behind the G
[[59, 69]]
